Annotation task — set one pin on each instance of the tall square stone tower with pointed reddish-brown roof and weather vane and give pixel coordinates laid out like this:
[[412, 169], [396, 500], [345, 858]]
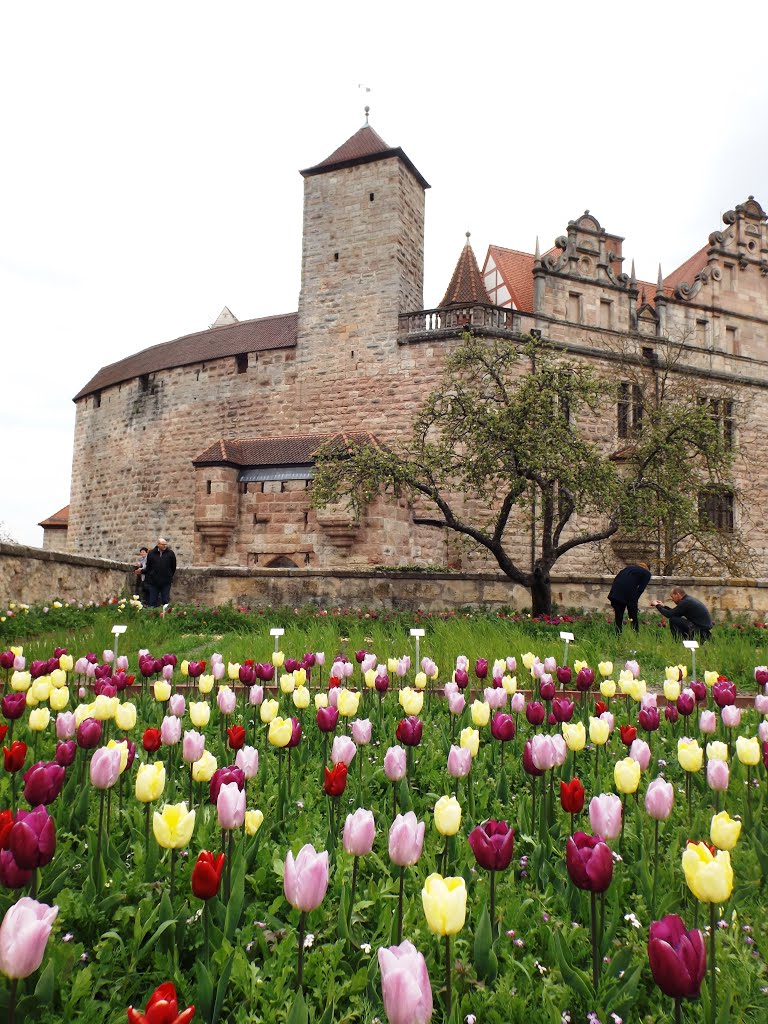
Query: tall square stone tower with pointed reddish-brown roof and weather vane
[[363, 257]]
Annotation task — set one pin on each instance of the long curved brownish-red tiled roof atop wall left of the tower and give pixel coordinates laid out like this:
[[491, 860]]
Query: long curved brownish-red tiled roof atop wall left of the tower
[[216, 344]]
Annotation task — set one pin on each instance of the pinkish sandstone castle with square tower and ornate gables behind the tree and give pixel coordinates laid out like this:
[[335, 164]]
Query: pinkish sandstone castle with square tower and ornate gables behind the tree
[[209, 440]]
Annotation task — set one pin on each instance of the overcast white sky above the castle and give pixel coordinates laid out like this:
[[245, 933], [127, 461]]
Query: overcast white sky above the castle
[[151, 157]]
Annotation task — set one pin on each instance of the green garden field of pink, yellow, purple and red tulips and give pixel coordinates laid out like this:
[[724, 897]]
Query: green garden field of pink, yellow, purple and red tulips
[[345, 819]]
